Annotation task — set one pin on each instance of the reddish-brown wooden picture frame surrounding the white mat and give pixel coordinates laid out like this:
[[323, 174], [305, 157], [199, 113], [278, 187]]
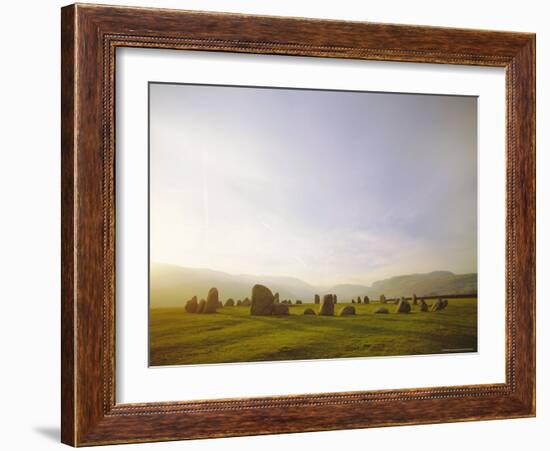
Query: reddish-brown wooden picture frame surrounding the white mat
[[90, 412]]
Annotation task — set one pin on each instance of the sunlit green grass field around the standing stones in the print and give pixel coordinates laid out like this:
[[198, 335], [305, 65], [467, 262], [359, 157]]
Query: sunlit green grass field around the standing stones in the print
[[232, 335]]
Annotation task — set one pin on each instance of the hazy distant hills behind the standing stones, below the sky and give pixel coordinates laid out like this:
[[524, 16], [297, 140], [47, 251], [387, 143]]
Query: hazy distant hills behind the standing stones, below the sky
[[172, 285]]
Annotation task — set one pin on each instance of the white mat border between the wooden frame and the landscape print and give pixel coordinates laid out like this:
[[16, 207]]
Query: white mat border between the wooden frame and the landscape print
[[138, 383]]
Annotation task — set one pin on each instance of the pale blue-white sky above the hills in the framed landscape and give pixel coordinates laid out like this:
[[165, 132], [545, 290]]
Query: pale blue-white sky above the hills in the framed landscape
[[326, 186]]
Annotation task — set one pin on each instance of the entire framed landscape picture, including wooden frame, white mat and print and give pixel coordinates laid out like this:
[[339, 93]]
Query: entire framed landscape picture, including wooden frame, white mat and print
[[278, 225]]
